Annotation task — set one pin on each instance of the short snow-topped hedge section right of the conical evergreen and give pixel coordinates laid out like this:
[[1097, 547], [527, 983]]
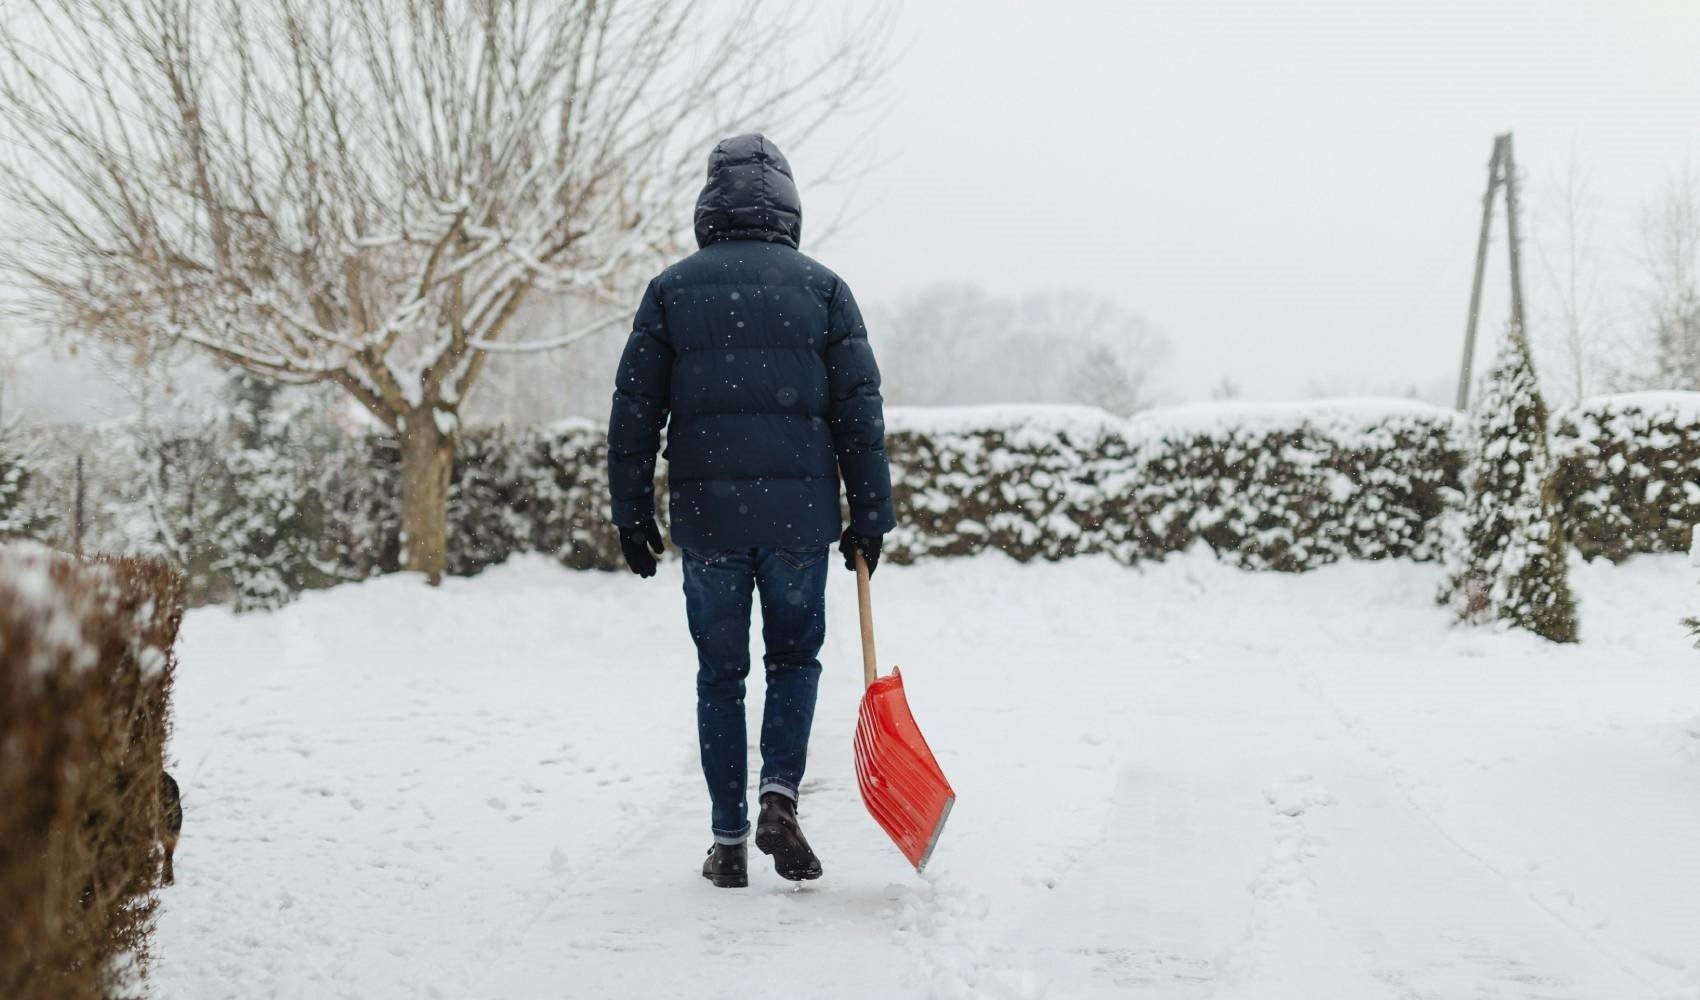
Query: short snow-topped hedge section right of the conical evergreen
[[1629, 474]]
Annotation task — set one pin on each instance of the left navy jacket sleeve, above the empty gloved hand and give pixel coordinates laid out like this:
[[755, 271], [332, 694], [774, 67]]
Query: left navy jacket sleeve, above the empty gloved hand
[[642, 401]]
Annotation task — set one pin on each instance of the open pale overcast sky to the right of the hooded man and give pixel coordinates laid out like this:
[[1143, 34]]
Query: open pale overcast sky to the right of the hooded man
[[1289, 190]]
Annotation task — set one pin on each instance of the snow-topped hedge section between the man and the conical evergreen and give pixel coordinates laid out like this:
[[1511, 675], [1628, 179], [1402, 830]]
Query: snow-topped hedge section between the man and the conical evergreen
[[1271, 487]]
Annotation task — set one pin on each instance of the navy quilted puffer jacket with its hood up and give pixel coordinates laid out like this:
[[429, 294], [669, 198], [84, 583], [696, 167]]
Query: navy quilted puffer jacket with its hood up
[[757, 363]]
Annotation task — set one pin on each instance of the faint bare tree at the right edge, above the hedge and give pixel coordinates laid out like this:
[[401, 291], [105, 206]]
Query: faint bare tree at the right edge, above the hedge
[[1670, 241]]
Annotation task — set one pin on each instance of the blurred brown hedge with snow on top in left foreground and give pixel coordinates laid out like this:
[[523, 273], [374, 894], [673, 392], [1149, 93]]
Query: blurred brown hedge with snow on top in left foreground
[[86, 678]]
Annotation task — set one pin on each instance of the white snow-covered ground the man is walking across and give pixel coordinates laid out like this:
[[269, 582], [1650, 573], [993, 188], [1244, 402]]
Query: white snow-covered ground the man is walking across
[[1174, 781]]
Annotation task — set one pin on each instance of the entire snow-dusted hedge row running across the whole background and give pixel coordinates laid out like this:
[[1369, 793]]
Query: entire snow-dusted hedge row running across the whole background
[[1281, 487]]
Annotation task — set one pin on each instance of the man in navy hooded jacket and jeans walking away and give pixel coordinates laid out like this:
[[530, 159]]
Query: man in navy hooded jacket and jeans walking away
[[757, 361]]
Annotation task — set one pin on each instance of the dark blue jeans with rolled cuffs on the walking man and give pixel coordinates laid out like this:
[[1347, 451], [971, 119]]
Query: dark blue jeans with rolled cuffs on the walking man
[[793, 588]]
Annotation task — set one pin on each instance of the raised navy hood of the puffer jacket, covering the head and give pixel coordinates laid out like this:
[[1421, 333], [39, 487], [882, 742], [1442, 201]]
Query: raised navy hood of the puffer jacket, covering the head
[[751, 195]]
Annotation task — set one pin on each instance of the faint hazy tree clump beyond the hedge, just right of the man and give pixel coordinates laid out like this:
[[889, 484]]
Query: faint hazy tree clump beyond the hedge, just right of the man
[[958, 344]]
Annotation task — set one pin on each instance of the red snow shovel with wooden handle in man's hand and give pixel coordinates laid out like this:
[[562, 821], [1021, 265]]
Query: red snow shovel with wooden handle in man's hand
[[902, 783]]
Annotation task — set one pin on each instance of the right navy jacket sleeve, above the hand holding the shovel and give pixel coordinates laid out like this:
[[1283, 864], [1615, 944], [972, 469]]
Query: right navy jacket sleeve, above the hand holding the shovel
[[856, 416]]
